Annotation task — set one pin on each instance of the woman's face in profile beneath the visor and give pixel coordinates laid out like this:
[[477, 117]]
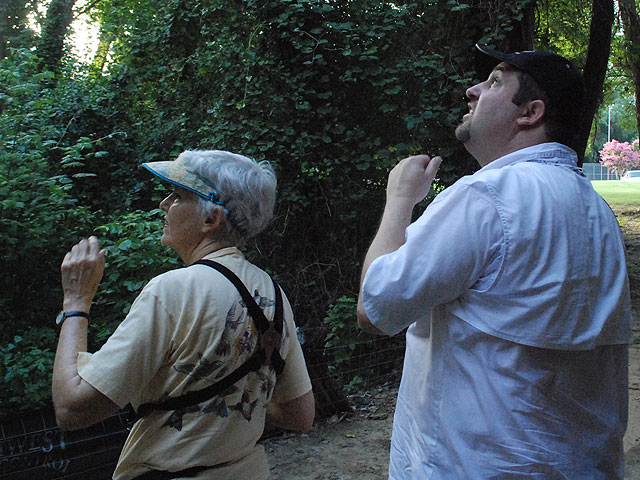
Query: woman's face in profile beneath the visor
[[182, 223]]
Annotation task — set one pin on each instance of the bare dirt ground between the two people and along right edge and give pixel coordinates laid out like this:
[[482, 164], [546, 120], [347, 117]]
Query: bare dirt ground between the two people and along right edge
[[356, 445]]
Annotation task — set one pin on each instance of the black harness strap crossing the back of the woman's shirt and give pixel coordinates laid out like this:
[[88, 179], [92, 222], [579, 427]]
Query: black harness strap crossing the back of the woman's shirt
[[267, 350]]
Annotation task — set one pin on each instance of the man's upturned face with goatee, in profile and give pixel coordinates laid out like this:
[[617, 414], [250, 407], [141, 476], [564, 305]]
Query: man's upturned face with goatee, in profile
[[490, 123]]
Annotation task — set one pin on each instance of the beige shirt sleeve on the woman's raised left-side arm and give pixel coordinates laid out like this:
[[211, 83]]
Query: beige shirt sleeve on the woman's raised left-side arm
[[130, 358]]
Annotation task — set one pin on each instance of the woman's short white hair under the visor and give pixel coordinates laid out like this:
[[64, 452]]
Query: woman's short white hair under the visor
[[247, 189]]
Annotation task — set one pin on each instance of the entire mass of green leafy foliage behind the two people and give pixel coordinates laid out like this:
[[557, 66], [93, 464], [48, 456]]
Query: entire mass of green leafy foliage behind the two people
[[333, 93]]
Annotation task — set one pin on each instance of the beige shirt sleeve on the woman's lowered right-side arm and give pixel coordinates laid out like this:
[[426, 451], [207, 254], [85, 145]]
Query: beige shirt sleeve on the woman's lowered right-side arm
[[294, 381]]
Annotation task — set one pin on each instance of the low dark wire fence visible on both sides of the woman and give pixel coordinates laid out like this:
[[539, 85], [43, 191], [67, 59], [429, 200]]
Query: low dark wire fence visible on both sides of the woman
[[32, 447]]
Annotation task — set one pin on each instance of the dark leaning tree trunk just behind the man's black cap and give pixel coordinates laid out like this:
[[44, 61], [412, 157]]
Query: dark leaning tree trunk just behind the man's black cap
[[595, 69]]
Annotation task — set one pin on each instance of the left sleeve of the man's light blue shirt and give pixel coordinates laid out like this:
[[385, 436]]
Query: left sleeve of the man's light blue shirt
[[455, 245]]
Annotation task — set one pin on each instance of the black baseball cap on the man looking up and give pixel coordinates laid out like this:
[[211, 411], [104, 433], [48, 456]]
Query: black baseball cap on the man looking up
[[556, 75]]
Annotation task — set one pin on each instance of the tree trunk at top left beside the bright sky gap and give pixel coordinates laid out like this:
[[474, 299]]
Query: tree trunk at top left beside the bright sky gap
[[51, 45]]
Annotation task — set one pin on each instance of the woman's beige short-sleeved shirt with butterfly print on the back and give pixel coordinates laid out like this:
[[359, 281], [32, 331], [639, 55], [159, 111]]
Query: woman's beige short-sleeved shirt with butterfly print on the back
[[187, 329]]
